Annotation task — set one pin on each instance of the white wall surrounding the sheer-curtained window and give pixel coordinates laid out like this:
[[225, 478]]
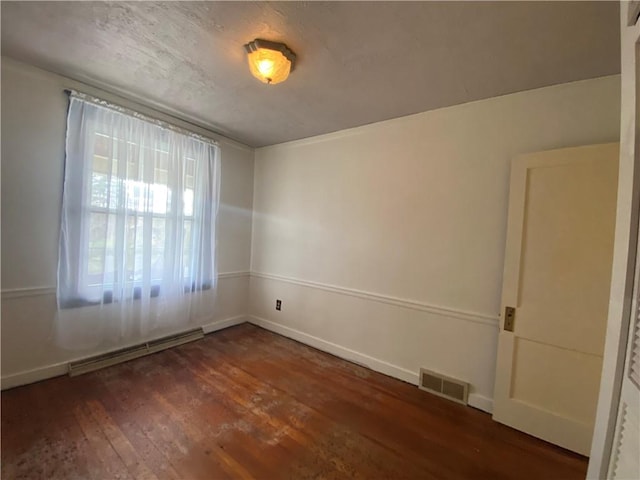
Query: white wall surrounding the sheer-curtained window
[[33, 131]]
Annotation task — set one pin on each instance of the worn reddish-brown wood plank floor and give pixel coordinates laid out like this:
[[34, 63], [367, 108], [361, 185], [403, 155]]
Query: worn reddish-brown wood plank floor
[[246, 403]]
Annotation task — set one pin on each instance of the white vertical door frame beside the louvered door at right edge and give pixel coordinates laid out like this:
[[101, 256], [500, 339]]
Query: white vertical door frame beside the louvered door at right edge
[[625, 246]]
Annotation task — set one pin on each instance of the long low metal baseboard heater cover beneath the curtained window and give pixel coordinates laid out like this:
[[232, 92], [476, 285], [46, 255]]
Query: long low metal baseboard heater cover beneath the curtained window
[[114, 357]]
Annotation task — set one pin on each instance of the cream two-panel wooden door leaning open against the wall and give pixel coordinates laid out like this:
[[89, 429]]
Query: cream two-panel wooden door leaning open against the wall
[[557, 278]]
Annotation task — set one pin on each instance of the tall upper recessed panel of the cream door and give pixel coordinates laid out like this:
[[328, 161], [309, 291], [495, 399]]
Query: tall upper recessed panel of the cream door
[[563, 282]]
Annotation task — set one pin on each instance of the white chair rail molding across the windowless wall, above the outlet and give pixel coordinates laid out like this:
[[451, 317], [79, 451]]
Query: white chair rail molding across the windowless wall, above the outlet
[[475, 317]]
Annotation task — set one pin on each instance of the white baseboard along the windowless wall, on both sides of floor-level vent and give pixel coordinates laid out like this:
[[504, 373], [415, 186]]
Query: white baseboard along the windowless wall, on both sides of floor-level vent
[[475, 400]]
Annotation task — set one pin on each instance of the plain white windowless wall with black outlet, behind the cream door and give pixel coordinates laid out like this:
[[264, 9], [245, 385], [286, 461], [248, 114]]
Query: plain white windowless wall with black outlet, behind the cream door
[[385, 242]]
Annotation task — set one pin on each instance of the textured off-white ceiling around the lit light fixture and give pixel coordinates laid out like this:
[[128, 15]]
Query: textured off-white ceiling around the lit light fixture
[[358, 62]]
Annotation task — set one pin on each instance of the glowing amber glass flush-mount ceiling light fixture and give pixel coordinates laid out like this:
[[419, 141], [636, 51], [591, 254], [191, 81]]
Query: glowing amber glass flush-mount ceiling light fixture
[[269, 62]]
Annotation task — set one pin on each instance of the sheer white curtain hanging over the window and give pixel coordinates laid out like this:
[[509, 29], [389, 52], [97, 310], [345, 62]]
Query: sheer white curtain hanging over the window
[[137, 239]]
